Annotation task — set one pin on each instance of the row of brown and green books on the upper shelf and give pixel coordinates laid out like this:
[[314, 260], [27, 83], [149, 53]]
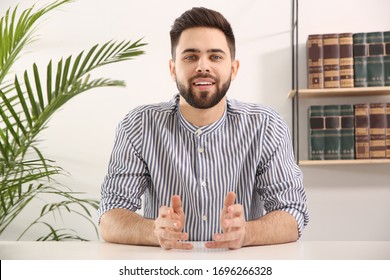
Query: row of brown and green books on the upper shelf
[[345, 60]]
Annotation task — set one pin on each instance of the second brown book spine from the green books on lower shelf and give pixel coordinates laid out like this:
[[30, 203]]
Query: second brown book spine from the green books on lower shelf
[[377, 130]]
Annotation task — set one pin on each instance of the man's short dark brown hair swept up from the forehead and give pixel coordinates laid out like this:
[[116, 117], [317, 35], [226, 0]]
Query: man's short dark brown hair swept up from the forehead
[[202, 17]]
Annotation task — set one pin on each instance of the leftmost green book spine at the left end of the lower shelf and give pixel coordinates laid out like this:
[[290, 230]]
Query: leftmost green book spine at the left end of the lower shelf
[[316, 132]]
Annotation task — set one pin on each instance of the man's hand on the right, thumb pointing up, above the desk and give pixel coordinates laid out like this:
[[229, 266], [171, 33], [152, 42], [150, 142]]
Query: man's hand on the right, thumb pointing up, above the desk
[[233, 225]]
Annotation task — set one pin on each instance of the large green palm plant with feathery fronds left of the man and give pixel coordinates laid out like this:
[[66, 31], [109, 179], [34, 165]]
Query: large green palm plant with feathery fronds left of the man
[[27, 103]]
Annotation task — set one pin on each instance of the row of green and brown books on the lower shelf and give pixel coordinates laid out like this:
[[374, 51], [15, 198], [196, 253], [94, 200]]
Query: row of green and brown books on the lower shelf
[[360, 131]]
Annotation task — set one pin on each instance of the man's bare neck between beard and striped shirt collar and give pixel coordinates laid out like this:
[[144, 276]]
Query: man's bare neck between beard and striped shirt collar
[[202, 117]]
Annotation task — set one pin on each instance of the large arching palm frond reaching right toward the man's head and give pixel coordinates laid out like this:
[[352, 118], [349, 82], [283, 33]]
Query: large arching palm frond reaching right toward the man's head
[[70, 80]]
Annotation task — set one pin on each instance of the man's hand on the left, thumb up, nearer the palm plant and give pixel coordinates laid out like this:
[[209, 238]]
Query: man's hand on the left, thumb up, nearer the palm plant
[[169, 226]]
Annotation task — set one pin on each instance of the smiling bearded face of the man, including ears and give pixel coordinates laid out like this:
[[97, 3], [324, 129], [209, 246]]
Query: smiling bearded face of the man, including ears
[[203, 68]]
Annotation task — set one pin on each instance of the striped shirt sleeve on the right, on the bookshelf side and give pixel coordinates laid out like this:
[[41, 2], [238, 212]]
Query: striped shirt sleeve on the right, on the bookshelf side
[[280, 181]]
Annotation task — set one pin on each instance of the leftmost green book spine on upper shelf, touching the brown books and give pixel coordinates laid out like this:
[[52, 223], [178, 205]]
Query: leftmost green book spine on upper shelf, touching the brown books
[[360, 59]]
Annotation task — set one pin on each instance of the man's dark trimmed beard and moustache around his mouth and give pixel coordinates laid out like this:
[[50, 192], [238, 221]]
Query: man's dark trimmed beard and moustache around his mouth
[[204, 99]]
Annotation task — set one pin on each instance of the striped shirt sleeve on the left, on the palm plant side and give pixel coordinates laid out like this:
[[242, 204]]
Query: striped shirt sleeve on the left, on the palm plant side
[[128, 175]]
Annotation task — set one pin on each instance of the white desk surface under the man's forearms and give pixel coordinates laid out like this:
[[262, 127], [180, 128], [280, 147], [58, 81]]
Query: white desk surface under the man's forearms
[[301, 250]]
